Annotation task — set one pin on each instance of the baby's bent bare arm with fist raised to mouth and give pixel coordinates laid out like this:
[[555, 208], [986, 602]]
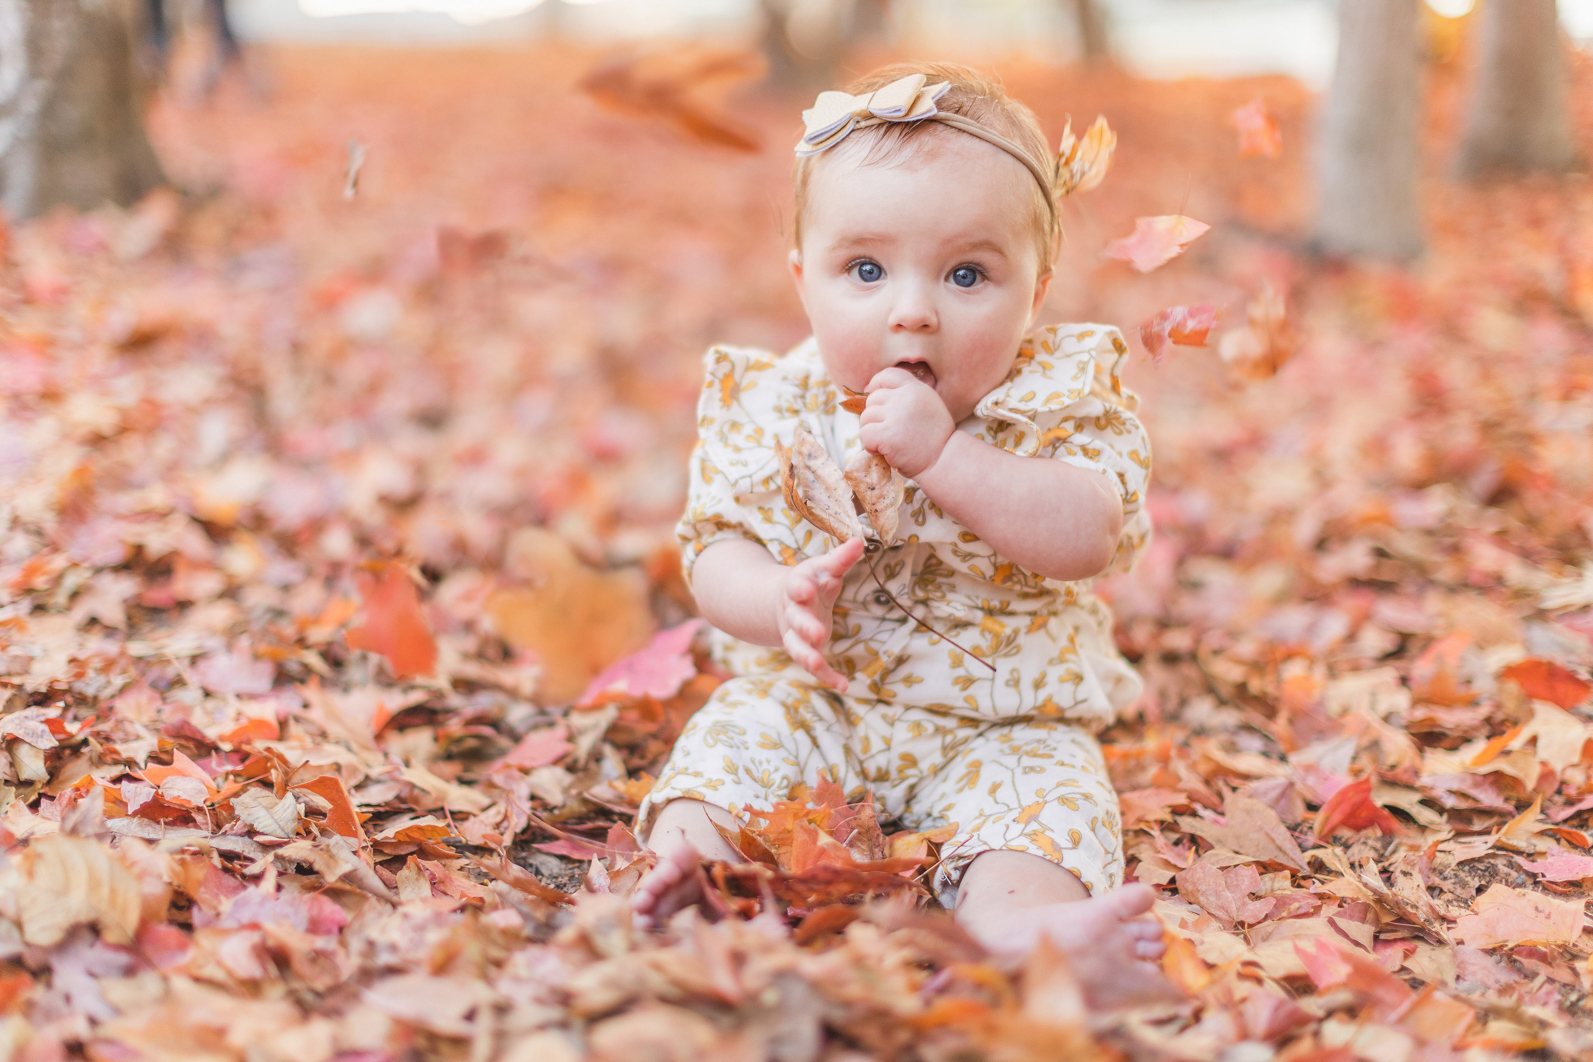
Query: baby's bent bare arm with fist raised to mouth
[[1052, 518]]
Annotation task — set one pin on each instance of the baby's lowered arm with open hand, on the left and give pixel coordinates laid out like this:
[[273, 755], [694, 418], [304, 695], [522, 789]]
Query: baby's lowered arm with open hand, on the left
[[751, 596]]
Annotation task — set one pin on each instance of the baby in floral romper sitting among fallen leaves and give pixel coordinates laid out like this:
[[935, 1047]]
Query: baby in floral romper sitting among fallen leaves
[[926, 225]]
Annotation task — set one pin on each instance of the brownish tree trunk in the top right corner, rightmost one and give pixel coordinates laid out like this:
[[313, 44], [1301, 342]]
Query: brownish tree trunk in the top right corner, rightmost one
[[1519, 117]]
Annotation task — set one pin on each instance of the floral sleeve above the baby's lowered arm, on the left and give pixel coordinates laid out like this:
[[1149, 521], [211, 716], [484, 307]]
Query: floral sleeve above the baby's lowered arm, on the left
[[734, 474]]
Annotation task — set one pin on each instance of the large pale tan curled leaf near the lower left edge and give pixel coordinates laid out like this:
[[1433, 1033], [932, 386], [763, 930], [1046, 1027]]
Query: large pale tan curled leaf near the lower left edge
[[76, 881]]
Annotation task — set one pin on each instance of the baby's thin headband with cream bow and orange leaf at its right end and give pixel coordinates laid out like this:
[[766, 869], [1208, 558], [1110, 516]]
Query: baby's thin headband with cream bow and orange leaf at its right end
[[1081, 165]]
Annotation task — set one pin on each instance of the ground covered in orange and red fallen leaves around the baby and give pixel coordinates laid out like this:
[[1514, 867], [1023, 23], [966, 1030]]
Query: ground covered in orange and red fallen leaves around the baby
[[342, 623]]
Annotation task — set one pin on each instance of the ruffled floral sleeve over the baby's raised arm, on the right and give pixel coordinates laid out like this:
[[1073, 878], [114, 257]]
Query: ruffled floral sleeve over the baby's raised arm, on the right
[[1068, 402]]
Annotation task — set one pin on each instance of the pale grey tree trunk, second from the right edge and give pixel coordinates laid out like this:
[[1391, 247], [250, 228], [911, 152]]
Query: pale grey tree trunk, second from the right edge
[[1371, 135]]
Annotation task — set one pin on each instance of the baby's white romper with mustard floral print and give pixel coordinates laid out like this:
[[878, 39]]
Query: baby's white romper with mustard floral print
[[1011, 757]]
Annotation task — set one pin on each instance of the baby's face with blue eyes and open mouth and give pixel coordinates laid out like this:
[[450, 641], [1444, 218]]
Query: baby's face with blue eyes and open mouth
[[926, 264]]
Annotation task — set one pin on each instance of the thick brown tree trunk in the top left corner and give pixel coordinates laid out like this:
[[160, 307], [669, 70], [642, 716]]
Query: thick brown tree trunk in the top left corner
[[71, 109]]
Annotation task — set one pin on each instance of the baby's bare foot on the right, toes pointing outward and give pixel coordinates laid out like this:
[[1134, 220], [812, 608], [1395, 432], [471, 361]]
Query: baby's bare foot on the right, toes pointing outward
[[1113, 950]]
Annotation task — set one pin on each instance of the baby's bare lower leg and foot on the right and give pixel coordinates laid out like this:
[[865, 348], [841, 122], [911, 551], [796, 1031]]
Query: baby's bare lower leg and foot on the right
[[1011, 900]]
